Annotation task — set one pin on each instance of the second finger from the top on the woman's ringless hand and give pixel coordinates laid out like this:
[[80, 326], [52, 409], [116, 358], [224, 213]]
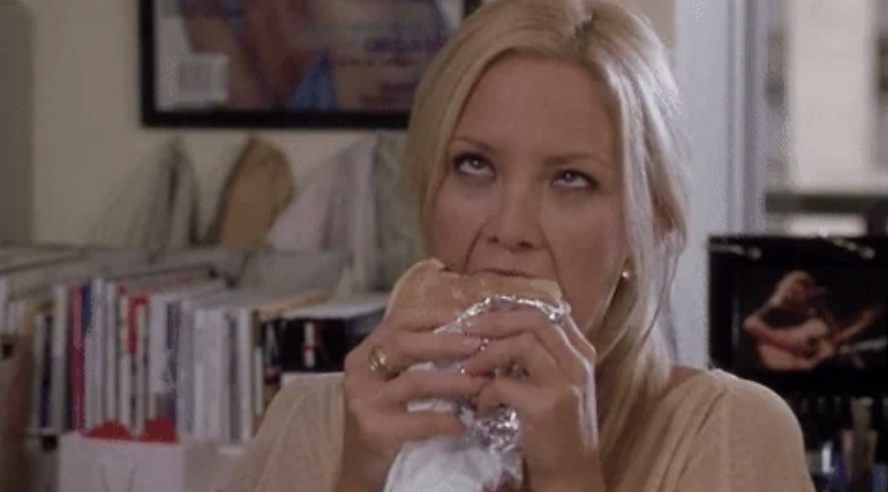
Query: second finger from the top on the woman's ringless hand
[[523, 350]]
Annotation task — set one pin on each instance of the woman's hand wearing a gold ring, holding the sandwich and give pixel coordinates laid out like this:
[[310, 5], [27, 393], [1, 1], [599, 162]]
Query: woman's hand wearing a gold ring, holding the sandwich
[[377, 421]]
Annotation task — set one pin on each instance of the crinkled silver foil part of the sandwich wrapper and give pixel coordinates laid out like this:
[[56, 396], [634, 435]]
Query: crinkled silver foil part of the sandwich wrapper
[[498, 432]]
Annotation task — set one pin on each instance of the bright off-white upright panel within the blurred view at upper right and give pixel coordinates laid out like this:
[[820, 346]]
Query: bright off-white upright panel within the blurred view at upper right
[[831, 98]]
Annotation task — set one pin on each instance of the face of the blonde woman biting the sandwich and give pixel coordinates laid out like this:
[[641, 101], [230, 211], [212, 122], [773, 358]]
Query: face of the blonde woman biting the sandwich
[[532, 185]]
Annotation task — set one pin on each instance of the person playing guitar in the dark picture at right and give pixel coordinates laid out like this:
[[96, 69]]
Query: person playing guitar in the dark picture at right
[[795, 329]]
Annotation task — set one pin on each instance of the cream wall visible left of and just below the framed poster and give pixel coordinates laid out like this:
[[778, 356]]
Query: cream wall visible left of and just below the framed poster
[[87, 135]]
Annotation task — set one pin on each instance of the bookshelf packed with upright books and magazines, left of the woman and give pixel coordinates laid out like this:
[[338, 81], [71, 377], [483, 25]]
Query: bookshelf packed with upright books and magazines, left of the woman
[[164, 366]]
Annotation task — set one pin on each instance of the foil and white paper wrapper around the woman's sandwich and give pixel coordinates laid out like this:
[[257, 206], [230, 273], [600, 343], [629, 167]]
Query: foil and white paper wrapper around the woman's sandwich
[[487, 456]]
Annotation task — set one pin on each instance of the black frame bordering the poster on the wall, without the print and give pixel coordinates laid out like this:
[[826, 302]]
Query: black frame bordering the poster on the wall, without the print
[[155, 116]]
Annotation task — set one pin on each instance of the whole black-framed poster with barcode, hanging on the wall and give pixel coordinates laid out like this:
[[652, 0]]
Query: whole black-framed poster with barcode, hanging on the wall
[[288, 63]]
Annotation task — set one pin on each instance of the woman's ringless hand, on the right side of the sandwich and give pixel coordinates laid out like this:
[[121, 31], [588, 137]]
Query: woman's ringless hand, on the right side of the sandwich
[[555, 402]]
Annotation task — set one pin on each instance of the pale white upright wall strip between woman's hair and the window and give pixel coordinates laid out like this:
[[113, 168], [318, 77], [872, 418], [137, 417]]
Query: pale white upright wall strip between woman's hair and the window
[[713, 80]]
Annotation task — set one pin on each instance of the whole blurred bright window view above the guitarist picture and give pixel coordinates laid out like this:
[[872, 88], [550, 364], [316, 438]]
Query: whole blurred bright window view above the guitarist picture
[[827, 99]]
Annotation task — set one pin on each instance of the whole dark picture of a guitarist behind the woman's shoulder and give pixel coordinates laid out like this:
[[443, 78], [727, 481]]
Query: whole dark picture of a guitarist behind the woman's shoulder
[[851, 273]]
